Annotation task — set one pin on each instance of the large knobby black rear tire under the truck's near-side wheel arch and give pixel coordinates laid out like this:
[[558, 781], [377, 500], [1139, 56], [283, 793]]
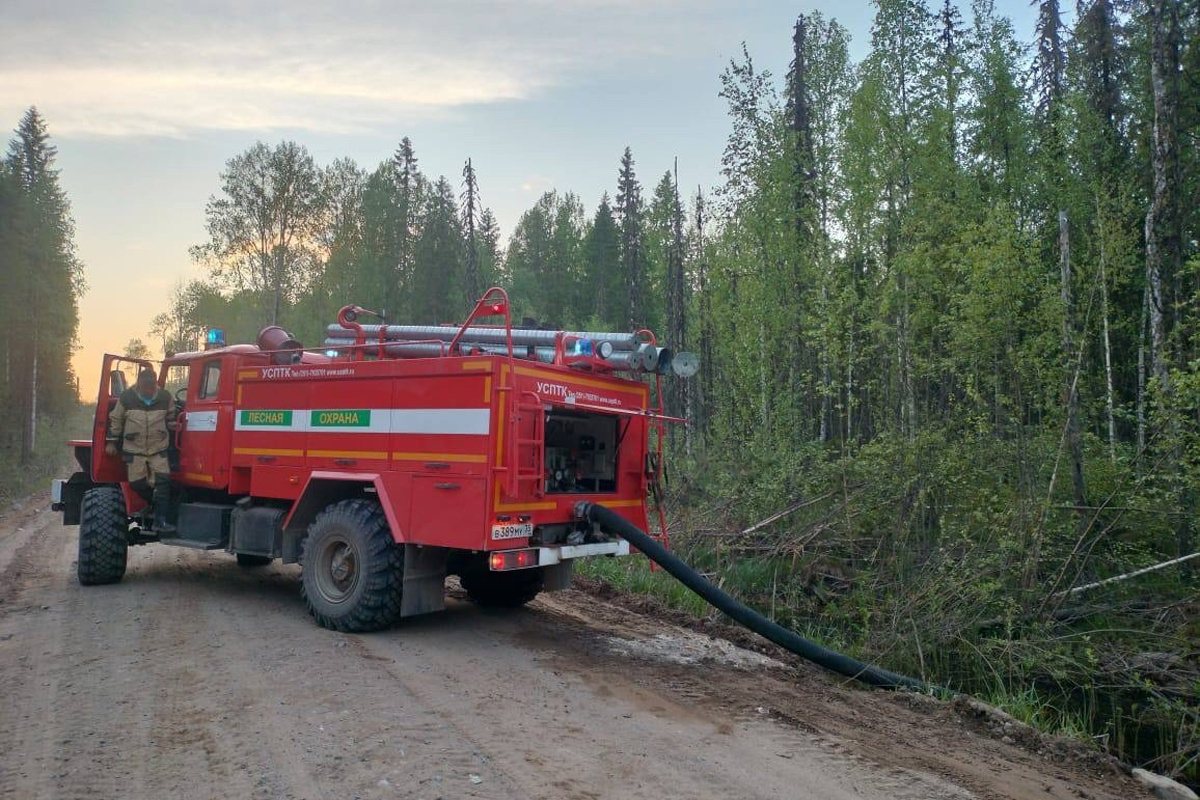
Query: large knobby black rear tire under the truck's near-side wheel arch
[[353, 572]]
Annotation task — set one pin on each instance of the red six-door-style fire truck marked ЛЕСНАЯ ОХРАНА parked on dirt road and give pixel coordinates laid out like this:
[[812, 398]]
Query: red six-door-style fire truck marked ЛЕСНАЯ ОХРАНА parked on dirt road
[[392, 459]]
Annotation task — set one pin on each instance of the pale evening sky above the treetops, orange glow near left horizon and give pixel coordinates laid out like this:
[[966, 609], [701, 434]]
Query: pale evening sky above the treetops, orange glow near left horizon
[[147, 100]]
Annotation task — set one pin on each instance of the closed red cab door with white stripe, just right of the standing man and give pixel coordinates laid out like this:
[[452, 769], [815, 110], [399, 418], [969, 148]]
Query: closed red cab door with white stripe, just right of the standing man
[[206, 425]]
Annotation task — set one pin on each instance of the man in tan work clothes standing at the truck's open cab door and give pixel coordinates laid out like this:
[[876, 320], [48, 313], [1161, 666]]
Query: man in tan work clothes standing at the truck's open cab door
[[140, 429]]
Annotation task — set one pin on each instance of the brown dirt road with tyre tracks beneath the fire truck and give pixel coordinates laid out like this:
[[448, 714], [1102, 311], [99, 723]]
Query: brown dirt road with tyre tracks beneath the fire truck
[[196, 678]]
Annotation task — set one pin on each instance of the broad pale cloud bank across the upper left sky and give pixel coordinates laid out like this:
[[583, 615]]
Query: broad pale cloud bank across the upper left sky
[[153, 69]]
